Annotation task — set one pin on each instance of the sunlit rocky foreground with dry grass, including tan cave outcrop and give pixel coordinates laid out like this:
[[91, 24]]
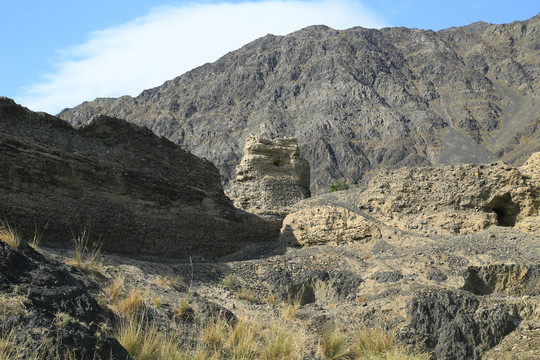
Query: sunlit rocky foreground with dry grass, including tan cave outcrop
[[455, 272]]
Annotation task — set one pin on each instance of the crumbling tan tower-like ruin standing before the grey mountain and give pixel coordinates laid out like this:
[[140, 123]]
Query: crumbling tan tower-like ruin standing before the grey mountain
[[271, 176]]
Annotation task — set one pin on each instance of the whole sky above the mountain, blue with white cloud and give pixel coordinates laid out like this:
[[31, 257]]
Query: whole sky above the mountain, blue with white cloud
[[59, 53]]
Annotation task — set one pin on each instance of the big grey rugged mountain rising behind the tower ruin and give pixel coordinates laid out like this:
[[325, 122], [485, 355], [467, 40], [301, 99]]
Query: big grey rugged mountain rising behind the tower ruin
[[357, 100]]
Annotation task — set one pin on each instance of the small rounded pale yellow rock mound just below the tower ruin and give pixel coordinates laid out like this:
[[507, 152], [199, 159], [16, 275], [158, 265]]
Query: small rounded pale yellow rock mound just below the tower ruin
[[323, 224]]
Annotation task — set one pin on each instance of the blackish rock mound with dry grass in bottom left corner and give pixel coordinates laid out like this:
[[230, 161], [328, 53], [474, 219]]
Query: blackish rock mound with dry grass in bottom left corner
[[57, 313]]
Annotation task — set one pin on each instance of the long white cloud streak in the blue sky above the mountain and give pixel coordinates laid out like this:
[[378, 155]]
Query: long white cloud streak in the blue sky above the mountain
[[141, 54]]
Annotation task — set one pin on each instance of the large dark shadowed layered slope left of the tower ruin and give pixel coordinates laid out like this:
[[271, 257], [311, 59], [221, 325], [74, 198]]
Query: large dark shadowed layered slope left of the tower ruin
[[132, 191]]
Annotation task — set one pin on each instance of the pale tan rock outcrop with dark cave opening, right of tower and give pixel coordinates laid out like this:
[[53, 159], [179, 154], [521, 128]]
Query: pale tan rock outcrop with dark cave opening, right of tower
[[459, 199]]
